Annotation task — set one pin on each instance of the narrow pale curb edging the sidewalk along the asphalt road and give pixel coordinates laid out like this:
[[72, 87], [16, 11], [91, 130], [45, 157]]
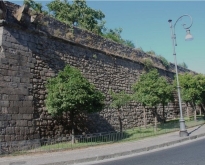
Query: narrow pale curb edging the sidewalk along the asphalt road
[[120, 154]]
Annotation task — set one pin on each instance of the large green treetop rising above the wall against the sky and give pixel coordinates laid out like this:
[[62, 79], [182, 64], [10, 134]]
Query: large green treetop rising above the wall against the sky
[[77, 14]]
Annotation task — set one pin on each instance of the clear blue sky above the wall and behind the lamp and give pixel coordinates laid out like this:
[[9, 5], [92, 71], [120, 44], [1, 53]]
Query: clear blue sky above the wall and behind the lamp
[[146, 24]]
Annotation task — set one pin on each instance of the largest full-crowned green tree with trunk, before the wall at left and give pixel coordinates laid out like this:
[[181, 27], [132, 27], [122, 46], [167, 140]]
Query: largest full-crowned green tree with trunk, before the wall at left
[[70, 92]]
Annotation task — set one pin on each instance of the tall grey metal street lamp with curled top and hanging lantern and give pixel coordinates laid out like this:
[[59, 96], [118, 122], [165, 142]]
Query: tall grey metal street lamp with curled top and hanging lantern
[[189, 37]]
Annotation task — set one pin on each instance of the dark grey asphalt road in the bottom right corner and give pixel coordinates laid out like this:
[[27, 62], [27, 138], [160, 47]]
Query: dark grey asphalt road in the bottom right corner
[[188, 154]]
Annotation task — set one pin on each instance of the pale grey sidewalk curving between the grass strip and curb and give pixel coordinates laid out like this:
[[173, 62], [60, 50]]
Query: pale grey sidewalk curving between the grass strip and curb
[[103, 152]]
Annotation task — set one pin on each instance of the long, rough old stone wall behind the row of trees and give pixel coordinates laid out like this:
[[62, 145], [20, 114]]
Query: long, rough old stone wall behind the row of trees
[[29, 56]]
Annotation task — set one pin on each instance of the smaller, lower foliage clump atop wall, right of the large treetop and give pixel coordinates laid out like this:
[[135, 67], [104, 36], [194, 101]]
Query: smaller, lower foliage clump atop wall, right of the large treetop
[[115, 35]]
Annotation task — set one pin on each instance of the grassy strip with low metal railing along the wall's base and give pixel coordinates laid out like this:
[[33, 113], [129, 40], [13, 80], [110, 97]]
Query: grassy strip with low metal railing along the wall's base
[[64, 143]]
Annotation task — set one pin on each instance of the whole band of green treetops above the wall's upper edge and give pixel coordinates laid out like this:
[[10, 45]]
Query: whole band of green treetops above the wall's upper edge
[[80, 15]]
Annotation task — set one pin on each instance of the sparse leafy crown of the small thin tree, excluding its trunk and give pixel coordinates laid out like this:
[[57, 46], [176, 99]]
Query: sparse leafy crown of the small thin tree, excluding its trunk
[[119, 99]]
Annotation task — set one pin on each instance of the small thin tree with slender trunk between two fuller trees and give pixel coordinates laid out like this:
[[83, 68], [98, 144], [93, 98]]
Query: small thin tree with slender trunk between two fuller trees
[[118, 101]]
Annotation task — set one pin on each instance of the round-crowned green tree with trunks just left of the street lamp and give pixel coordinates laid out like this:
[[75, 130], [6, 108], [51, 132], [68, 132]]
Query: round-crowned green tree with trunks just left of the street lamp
[[151, 90]]
